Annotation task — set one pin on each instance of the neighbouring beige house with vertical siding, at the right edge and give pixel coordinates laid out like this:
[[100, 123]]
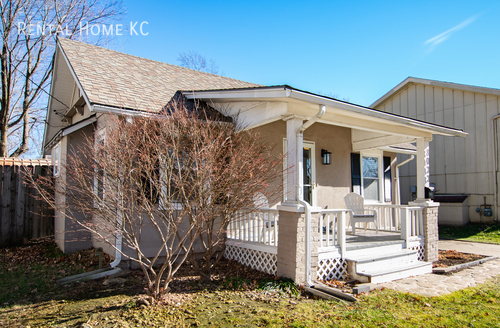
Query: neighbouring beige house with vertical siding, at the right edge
[[463, 171]]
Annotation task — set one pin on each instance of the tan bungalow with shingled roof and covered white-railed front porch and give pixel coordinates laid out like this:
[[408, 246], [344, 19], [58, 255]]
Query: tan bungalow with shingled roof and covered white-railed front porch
[[337, 148]]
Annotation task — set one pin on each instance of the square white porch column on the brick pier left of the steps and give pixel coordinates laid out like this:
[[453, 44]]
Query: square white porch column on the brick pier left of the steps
[[294, 159]]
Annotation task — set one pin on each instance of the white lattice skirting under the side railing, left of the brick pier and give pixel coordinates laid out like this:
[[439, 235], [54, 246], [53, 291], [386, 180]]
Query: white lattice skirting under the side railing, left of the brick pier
[[258, 260]]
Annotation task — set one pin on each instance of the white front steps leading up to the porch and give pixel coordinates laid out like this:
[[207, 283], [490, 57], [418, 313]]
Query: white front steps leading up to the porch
[[386, 266]]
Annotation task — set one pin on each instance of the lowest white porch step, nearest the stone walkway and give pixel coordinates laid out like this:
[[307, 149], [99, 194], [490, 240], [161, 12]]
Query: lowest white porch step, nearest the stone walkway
[[394, 273]]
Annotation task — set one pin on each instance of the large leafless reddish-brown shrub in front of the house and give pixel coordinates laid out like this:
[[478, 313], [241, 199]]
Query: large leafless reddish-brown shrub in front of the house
[[167, 181]]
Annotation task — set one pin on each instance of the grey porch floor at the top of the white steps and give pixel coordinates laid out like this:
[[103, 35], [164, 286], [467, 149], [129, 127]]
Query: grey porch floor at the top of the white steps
[[369, 238]]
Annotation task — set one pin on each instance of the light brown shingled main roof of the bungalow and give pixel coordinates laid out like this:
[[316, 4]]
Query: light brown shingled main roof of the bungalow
[[119, 80]]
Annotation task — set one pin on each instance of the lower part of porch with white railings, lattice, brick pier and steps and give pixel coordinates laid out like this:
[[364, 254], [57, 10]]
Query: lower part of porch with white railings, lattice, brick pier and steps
[[334, 252]]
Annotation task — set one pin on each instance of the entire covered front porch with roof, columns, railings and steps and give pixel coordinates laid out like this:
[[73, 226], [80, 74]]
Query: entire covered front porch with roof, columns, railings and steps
[[332, 148]]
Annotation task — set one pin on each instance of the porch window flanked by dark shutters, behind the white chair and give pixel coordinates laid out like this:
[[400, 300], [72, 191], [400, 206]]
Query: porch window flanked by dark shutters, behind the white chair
[[371, 176]]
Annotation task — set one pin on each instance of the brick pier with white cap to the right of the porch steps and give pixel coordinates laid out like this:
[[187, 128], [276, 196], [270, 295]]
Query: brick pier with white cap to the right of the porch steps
[[431, 233]]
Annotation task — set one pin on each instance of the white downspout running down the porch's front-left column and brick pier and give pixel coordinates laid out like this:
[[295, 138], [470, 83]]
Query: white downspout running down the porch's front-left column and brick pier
[[307, 207]]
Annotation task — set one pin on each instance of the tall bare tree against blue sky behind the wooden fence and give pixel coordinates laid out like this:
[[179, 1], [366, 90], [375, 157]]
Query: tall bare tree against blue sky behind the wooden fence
[[28, 30]]
